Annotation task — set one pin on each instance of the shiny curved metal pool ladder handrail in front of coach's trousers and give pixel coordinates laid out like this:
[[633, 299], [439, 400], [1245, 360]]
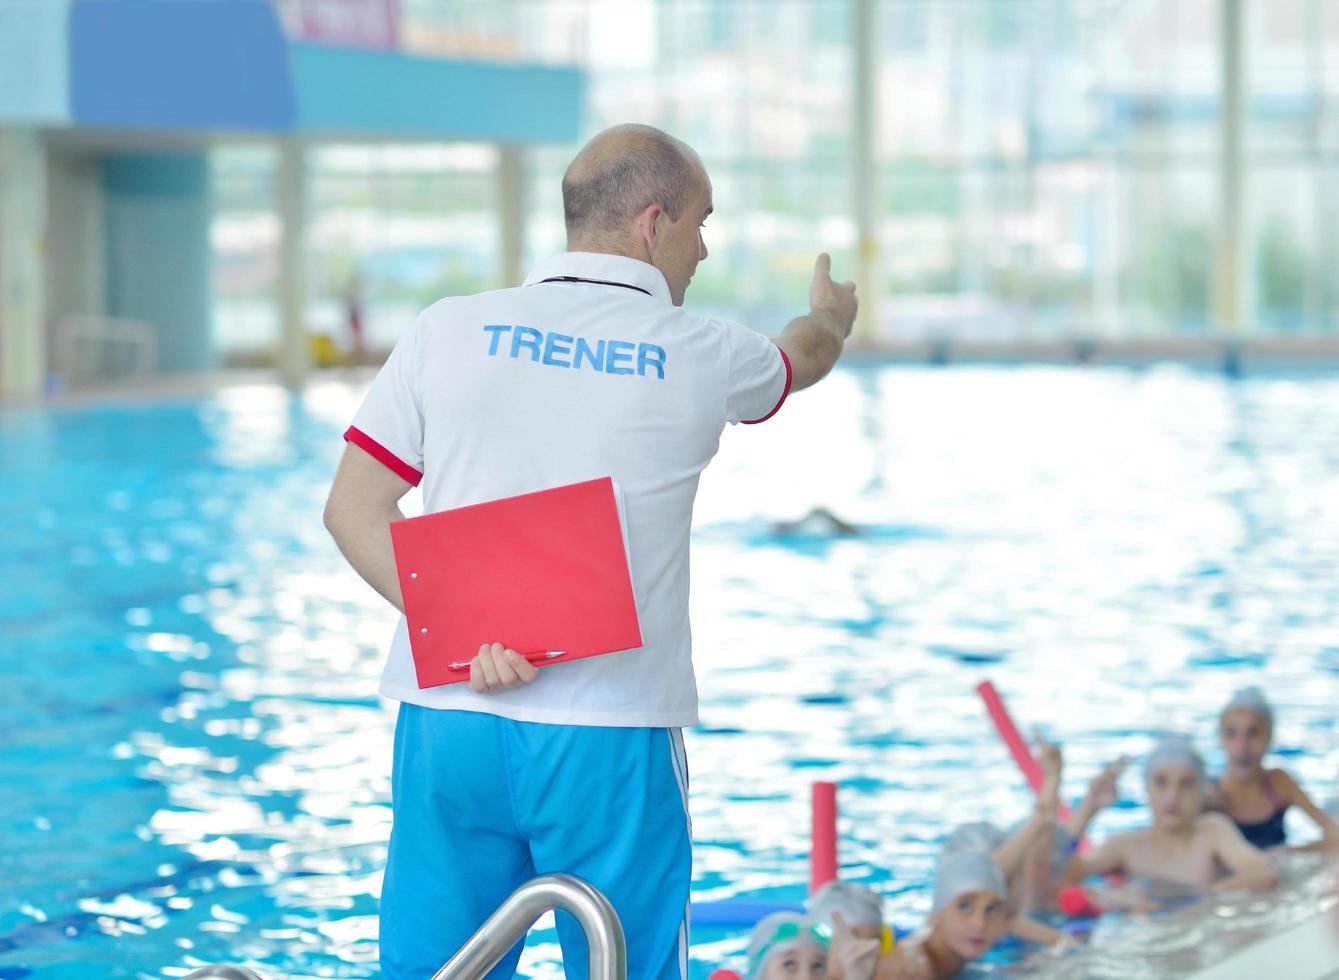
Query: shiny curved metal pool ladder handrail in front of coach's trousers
[[515, 918]]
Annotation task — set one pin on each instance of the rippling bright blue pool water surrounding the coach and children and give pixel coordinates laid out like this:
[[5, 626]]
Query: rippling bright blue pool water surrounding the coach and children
[[195, 764]]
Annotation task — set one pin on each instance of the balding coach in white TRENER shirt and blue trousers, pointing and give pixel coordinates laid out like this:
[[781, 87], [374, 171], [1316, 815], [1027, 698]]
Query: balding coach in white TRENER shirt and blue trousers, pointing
[[591, 369]]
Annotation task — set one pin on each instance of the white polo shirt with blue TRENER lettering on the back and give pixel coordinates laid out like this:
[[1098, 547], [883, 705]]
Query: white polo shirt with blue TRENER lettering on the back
[[586, 372]]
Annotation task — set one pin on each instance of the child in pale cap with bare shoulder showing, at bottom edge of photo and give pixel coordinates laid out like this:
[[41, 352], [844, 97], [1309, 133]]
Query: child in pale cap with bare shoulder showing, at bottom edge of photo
[[970, 916]]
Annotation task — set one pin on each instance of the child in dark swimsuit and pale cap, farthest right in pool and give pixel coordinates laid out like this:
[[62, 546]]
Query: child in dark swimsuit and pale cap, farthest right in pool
[[1257, 799]]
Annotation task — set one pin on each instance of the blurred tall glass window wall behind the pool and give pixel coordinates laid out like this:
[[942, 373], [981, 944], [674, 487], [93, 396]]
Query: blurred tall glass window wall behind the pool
[[1010, 172]]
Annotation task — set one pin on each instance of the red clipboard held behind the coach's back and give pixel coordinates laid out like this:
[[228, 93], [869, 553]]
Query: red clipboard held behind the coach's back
[[539, 572]]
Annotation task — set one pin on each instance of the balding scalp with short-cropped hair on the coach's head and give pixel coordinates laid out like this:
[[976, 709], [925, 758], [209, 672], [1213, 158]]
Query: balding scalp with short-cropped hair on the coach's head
[[621, 173]]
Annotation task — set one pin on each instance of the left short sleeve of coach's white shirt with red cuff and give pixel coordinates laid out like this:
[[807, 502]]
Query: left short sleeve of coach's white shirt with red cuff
[[389, 425]]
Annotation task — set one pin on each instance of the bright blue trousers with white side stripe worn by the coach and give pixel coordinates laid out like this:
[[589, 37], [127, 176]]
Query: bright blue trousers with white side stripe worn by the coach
[[484, 804]]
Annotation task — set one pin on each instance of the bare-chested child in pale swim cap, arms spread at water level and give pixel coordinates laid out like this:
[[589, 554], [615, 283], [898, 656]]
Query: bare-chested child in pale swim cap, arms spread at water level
[[1186, 847]]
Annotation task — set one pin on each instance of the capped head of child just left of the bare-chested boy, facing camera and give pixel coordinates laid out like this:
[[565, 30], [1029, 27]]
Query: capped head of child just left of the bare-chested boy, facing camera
[[970, 904]]
